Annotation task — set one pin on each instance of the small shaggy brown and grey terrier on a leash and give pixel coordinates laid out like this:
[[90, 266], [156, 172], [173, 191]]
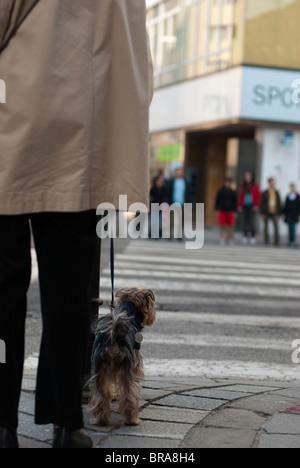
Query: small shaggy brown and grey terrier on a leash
[[117, 363]]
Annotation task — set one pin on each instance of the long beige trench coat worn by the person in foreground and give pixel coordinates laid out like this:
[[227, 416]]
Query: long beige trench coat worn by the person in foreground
[[74, 129]]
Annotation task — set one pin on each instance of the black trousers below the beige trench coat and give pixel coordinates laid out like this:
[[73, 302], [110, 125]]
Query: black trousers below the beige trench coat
[[66, 245]]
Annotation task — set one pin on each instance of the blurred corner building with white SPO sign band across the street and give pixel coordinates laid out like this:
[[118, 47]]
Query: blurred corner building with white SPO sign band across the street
[[227, 91]]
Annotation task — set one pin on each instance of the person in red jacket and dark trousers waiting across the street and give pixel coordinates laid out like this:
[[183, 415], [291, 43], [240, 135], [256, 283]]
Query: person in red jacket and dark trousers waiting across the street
[[248, 206]]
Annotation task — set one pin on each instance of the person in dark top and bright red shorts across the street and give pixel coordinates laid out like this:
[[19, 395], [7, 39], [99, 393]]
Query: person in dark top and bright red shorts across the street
[[226, 206]]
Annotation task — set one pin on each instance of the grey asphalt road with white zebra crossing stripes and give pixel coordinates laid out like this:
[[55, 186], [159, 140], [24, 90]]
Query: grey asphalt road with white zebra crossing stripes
[[224, 312]]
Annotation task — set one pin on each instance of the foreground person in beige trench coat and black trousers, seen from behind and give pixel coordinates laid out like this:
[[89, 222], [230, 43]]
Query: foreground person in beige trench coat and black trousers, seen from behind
[[73, 134]]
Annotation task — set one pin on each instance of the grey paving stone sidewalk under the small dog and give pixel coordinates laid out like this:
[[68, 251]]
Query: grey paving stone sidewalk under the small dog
[[189, 413]]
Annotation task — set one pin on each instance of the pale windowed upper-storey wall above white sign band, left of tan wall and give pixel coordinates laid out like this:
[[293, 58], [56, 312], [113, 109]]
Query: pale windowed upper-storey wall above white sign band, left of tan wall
[[190, 38]]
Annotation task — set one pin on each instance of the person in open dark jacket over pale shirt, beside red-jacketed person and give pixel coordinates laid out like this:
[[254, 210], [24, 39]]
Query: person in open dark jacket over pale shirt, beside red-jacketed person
[[271, 210]]
